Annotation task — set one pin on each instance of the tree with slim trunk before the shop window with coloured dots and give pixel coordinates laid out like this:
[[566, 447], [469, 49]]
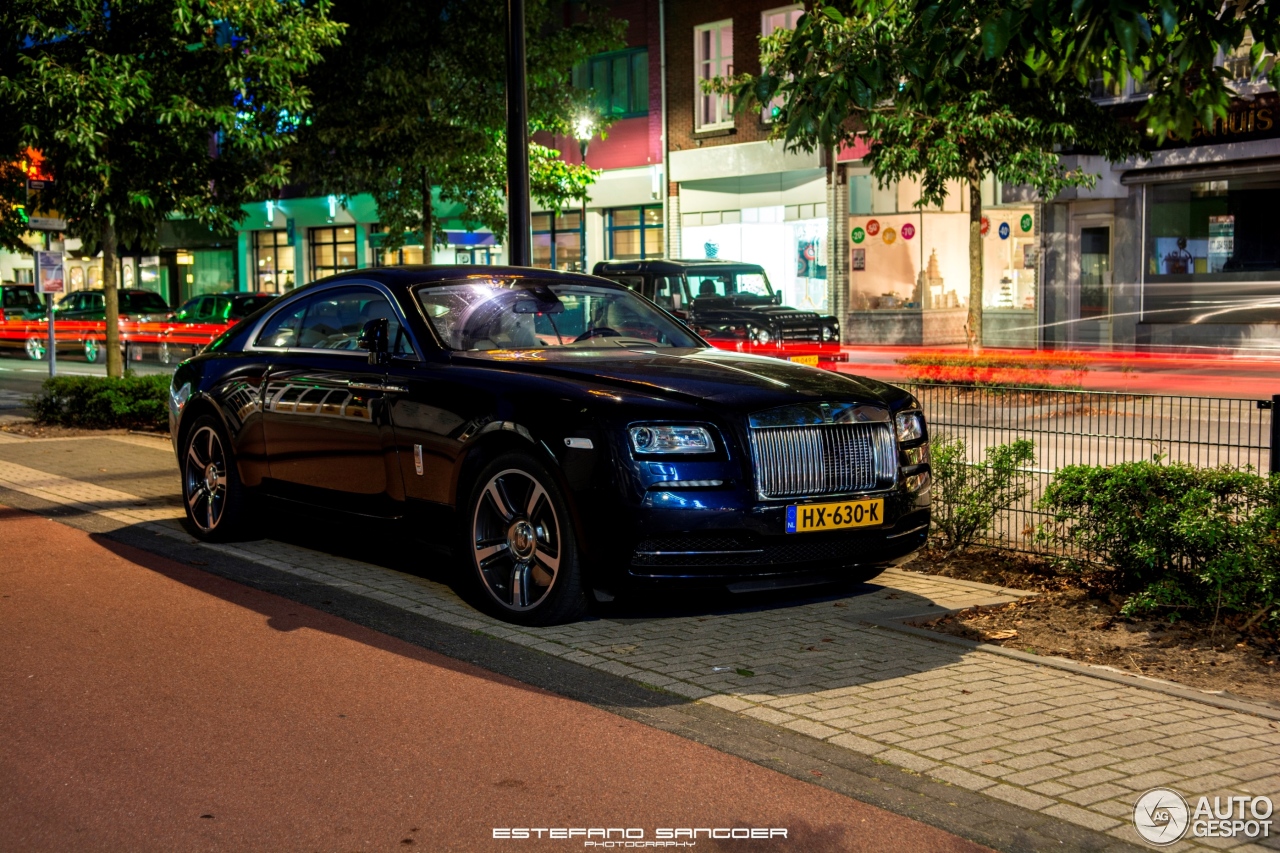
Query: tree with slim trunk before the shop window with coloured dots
[[930, 106]]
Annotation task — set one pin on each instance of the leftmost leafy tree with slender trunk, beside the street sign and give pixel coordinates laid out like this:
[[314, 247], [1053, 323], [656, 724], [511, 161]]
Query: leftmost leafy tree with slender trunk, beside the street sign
[[158, 108]]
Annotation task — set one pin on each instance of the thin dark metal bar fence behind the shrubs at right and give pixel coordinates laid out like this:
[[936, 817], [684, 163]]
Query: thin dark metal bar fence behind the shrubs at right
[[1096, 428]]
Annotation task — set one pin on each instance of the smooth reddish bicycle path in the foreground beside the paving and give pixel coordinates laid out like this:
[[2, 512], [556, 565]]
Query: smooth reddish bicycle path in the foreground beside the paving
[[147, 705]]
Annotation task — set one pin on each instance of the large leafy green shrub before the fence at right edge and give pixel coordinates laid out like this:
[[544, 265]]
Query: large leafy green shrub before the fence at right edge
[[1177, 539]]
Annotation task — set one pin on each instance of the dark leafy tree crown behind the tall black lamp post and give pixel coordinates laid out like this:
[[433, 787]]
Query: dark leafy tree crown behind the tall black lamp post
[[413, 104]]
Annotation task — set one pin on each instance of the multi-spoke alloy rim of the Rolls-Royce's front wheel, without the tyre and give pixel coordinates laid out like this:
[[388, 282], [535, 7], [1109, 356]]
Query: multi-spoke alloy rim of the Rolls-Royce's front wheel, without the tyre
[[516, 536]]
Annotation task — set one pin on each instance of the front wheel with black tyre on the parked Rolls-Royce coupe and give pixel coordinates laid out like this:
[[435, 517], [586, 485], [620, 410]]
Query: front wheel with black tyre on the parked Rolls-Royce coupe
[[520, 546]]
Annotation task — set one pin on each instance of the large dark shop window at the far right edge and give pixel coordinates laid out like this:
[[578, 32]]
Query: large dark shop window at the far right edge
[[1213, 252]]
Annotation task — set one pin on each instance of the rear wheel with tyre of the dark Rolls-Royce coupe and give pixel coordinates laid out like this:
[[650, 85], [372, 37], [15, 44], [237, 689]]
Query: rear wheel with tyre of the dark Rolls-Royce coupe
[[213, 495]]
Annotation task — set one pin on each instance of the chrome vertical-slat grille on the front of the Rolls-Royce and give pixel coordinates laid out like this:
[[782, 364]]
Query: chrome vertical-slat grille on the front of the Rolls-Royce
[[822, 459]]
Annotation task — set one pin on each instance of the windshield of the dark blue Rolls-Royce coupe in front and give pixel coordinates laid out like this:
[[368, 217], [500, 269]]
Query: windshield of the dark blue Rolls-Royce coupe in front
[[520, 314]]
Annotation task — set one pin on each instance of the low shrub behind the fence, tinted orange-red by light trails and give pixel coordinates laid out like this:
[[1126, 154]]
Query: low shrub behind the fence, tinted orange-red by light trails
[[999, 370]]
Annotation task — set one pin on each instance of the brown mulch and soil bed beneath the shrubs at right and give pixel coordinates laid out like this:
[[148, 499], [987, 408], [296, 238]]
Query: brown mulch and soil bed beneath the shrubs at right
[[1076, 617]]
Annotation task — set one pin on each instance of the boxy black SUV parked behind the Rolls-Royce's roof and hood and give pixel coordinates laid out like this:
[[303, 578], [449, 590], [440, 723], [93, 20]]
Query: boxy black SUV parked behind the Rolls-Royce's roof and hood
[[724, 300]]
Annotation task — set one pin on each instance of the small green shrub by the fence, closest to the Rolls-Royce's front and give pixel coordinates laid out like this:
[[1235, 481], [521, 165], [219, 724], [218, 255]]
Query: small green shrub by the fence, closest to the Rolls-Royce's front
[[967, 498]]
